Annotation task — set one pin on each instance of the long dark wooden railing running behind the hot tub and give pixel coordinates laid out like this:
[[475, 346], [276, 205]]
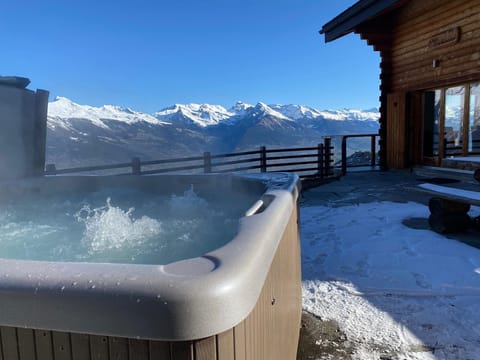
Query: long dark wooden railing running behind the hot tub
[[315, 161]]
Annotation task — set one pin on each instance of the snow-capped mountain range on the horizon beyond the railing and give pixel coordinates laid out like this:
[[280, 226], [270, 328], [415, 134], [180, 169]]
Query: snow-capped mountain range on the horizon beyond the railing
[[80, 135]]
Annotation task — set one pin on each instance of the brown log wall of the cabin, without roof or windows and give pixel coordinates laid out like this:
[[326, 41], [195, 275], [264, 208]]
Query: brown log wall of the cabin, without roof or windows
[[423, 44]]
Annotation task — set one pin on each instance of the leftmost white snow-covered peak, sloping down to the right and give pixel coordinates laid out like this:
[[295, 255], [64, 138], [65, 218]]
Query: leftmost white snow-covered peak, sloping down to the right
[[63, 108]]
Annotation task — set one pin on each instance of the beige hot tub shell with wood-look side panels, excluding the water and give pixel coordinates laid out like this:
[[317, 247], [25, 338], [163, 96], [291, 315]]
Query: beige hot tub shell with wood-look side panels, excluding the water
[[241, 301]]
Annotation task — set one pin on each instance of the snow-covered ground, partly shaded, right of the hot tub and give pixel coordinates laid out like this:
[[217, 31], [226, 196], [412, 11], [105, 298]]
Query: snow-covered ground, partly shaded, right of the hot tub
[[395, 288]]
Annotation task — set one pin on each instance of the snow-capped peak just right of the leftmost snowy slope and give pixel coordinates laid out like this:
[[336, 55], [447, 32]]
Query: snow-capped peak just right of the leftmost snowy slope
[[200, 114]]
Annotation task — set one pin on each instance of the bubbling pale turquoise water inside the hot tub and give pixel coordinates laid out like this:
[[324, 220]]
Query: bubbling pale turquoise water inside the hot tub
[[104, 227]]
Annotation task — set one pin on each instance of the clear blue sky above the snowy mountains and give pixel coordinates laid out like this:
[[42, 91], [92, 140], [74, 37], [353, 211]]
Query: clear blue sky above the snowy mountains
[[148, 54]]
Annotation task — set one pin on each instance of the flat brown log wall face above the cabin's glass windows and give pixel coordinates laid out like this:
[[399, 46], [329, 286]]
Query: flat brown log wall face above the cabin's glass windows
[[444, 31]]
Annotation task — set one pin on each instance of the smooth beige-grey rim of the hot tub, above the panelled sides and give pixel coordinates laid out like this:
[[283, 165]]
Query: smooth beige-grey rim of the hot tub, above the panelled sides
[[180, 296]]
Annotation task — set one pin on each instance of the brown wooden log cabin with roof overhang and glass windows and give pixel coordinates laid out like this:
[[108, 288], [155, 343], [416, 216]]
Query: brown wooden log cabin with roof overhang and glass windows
[[430, 76]]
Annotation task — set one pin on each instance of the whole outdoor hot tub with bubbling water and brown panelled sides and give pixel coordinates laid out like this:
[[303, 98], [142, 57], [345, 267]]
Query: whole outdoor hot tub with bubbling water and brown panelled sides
[[86, 273]]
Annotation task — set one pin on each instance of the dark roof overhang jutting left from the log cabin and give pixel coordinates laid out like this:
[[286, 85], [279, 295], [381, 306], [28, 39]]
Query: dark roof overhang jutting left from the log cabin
[[354, 16]]
